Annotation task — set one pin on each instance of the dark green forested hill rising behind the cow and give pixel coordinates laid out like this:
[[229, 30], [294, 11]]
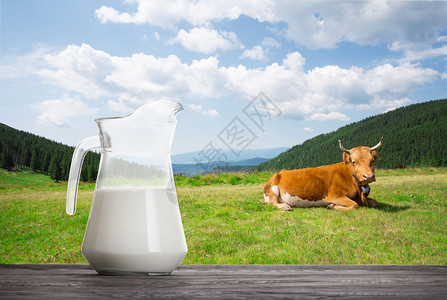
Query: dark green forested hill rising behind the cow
[[413, 136]]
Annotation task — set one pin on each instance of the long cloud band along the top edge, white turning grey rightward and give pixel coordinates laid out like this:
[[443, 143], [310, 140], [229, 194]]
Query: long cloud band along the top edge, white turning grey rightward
[[314, 24]]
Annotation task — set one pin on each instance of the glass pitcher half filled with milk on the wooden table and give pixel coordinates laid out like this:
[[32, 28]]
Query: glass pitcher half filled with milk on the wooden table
[[134, 225]]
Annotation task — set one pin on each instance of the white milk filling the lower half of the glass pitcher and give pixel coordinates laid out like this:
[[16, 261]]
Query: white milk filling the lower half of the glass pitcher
[[134, 231]]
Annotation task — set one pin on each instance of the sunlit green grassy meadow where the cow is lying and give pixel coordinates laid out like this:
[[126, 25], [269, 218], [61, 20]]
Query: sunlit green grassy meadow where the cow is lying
[[224, 222]]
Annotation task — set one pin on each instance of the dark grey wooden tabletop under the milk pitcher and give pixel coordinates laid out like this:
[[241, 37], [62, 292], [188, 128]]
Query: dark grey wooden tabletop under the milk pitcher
[[57, 281]]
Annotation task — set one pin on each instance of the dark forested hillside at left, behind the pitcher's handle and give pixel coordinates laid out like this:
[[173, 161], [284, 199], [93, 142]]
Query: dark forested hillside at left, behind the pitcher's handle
[[22, 150]]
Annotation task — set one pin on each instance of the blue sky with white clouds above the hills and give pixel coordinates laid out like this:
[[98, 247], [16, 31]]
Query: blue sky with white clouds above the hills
[[250, 74]]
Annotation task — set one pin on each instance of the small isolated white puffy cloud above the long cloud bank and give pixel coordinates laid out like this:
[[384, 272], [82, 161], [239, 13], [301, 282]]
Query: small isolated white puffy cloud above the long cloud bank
[[206, 40]]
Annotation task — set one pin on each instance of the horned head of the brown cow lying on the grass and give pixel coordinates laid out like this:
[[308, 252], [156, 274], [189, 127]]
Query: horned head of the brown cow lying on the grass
[[361, 160]]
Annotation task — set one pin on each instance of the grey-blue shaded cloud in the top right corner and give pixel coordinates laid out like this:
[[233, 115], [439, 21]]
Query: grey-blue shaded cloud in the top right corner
[[409, 24]]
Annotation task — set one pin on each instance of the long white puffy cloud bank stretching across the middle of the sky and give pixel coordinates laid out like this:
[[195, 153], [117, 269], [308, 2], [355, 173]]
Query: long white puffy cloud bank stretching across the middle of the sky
[[320, 93]]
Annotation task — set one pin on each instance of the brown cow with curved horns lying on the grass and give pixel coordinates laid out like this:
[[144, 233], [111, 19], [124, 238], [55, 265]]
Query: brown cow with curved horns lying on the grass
[[339, 186]]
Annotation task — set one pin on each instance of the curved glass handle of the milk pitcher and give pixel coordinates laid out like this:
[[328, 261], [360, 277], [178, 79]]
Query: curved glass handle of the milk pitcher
[[79, 153]]
